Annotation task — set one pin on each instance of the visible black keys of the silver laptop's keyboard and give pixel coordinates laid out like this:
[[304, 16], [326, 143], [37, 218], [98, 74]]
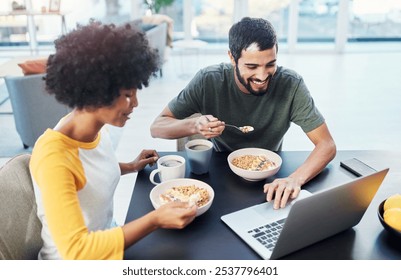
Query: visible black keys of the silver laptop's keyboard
[[268, 234]]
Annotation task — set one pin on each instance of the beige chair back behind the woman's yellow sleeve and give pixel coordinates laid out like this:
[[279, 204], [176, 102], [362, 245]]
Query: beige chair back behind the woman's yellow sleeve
[[20, 228]]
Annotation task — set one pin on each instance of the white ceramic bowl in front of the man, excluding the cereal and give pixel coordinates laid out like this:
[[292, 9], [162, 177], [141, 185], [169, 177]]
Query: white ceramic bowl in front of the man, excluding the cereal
[[254, 175]]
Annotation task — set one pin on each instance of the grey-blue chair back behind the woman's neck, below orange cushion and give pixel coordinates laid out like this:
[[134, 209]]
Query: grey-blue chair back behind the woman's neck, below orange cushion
[[34, 109]]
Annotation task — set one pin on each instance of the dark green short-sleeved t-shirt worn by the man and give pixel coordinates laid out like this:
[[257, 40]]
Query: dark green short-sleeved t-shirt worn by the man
[[213, 91]]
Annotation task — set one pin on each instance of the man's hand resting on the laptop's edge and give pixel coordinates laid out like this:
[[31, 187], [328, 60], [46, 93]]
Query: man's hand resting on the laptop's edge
[[282, 190]]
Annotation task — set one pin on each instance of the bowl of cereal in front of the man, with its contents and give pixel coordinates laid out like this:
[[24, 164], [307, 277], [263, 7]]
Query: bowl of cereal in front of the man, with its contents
[[254, 164]]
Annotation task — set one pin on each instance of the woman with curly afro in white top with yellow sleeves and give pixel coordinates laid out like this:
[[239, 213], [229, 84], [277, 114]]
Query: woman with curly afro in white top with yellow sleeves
[[96, 70]]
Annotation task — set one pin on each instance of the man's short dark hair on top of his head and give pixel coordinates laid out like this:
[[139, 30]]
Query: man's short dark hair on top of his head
[[248, 31]]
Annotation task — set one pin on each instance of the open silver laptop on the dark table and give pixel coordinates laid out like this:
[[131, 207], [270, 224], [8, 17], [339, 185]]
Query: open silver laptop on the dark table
[[307, 219]]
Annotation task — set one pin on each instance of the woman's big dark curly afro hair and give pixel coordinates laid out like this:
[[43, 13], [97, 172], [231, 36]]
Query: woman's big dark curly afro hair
[[93, 62]]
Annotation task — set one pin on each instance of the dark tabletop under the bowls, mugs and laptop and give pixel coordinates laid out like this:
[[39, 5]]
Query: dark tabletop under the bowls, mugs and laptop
[[208, 238]]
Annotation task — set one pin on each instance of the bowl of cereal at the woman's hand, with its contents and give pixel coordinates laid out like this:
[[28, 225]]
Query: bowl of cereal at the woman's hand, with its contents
[[185, 190]]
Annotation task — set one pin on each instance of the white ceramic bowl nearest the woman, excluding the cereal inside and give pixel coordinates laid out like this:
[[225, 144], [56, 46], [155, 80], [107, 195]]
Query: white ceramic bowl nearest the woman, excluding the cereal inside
[[164, 186]]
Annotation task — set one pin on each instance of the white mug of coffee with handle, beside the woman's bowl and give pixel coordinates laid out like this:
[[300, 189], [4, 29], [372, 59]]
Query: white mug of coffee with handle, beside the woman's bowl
[[168, 167]]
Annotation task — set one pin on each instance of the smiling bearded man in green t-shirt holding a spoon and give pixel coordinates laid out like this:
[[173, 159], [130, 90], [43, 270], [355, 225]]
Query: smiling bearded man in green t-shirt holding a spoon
[[254, 91]]
